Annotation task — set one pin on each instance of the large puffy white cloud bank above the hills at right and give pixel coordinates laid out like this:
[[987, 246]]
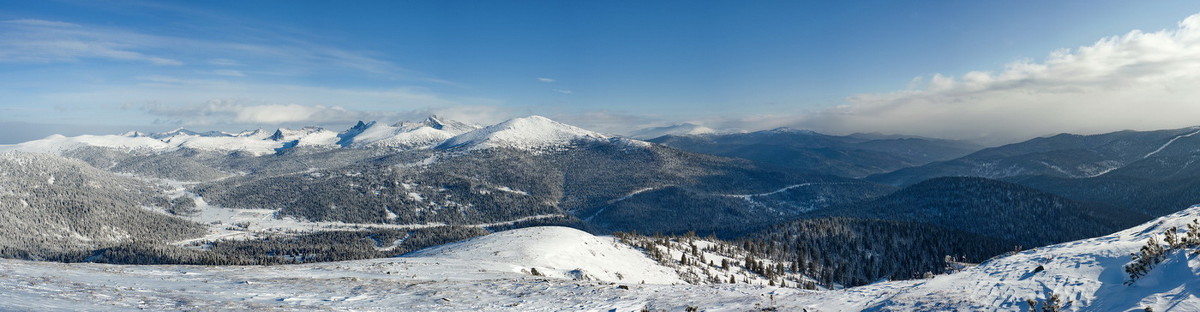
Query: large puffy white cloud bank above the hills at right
[[1141, 81]]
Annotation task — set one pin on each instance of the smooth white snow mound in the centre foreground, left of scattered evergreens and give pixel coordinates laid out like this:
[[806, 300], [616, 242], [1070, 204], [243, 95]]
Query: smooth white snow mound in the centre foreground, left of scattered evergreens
[[557, 253]]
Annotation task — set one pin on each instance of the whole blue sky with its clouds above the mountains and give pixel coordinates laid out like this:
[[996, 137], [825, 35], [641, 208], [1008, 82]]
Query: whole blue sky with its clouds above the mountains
[[615, 67]]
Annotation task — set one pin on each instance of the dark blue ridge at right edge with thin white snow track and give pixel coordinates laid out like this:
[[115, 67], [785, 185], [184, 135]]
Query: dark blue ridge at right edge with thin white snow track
[[1151, 172]]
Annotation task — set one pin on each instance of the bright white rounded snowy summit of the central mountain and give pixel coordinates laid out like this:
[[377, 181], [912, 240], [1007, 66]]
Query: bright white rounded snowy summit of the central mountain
[[529, 134]]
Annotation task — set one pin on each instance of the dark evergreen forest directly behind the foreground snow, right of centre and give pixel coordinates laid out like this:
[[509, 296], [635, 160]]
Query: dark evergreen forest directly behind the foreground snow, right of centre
[[839, 251]]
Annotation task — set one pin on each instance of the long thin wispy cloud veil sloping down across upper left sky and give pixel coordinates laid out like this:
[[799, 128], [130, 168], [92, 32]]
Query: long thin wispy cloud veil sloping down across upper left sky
[[49, 41]]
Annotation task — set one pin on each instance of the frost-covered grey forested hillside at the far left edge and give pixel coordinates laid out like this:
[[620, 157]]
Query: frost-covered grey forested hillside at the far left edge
[[50, 206]]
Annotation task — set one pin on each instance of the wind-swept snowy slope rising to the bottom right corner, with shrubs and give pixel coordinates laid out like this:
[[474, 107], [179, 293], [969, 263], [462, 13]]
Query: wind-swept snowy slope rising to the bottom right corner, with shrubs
[[1089, 273]]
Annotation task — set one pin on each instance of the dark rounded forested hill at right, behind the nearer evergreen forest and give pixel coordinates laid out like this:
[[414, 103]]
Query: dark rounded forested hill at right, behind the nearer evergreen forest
[[998, 209]]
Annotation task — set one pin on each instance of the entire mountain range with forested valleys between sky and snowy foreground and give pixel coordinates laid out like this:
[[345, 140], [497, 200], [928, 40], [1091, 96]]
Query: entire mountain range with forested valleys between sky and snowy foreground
[[380, 190]]
